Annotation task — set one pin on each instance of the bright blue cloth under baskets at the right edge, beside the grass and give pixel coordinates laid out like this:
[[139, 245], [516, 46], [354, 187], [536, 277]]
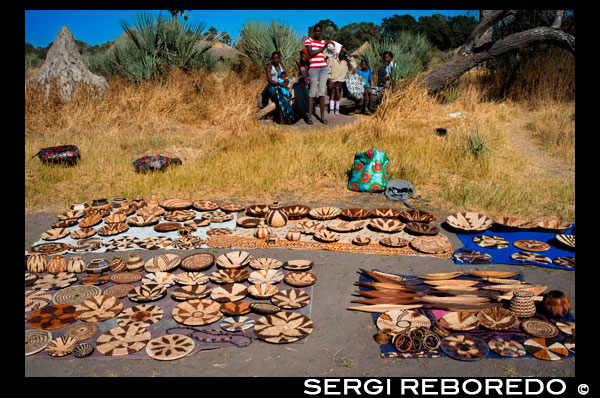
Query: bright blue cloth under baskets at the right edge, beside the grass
[[502, 256]]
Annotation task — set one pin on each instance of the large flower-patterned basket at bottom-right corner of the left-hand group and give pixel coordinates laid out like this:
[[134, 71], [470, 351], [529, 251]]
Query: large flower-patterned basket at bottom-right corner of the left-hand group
[[283, 327]]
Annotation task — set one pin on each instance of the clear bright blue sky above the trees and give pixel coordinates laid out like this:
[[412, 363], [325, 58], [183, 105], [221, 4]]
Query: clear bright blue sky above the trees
[[99, 26]]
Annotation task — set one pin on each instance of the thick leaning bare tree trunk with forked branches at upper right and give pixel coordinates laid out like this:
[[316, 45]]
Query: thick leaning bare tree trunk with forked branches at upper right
[[482, 46]]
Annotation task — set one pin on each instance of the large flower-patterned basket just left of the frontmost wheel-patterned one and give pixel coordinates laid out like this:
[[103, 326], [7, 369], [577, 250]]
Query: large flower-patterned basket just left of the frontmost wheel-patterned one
[[123, 340]]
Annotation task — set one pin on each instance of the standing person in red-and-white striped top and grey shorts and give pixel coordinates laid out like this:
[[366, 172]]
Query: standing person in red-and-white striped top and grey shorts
[[317, 71]]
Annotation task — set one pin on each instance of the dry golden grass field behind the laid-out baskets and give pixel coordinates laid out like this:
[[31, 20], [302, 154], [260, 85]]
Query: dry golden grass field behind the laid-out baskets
[[504, 158]]
